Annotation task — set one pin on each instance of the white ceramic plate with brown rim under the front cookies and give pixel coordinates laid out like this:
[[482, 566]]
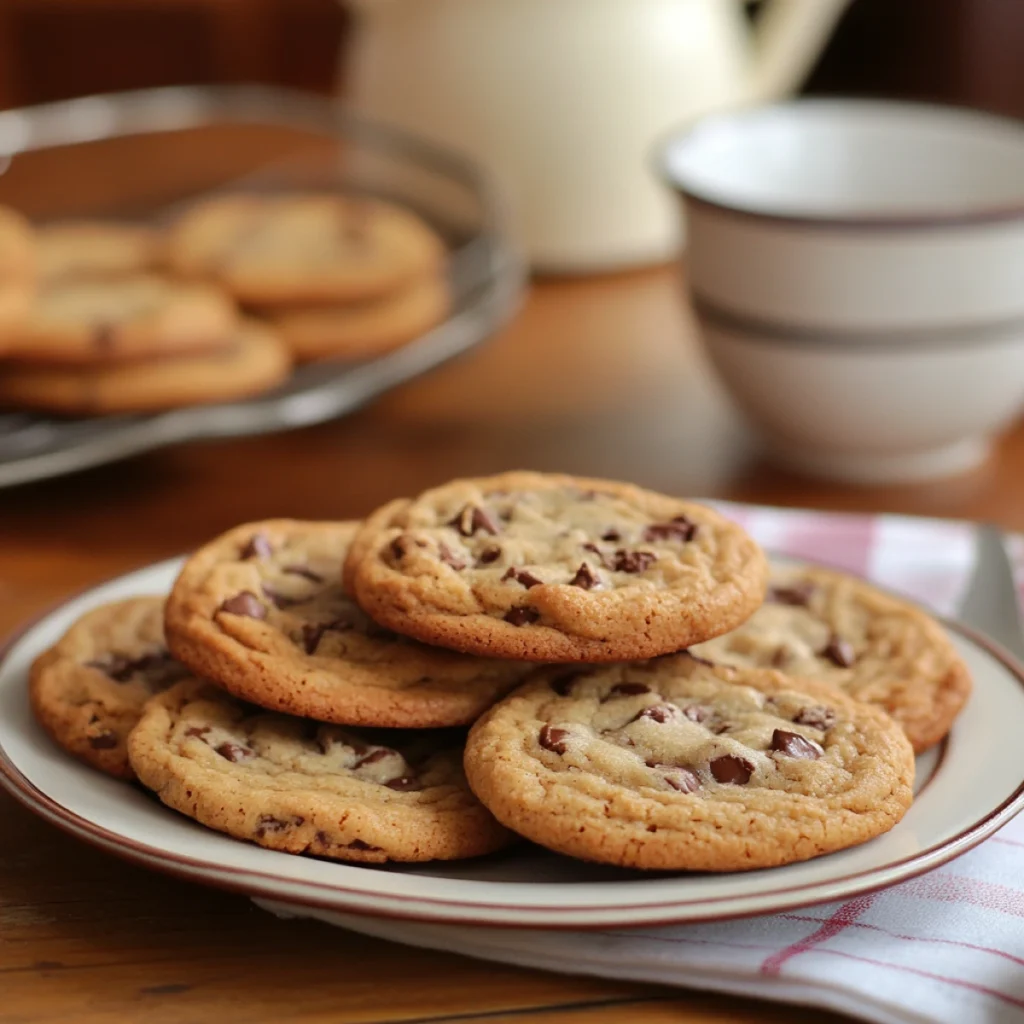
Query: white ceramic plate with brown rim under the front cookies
[[967, 789]]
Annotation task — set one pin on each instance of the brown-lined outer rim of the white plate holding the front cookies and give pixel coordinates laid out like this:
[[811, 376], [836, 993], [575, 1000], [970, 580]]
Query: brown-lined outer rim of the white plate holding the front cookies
[[302, 893]]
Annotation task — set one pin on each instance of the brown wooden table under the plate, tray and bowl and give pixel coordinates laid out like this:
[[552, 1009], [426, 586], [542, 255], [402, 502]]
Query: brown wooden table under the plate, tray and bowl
[[600, 377]]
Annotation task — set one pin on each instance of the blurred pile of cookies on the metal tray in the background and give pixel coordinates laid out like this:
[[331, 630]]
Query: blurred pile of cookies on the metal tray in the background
[[103, 318]]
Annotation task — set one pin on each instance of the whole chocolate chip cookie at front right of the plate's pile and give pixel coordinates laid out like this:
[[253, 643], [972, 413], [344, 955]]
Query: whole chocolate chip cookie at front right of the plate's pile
[[673, 764]]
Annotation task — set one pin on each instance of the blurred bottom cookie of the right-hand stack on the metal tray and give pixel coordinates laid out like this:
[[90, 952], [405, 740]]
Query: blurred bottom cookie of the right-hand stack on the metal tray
[[362, 330]]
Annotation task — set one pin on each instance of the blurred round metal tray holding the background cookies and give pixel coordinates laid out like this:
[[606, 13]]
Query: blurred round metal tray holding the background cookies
[[144, 154]]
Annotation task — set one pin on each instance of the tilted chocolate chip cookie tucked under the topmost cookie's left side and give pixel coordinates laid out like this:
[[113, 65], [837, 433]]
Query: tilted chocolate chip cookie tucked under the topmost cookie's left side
[[262, 612]]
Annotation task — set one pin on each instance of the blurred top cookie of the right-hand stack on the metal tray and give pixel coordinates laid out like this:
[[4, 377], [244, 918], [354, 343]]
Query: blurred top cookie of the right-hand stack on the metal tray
[[304, 248]]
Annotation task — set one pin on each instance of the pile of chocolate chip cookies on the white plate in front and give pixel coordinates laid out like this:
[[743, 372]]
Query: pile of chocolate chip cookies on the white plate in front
[[642, 689]]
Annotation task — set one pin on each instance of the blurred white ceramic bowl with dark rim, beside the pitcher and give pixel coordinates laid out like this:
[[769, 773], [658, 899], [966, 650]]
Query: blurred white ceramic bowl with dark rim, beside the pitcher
[[858, 269]]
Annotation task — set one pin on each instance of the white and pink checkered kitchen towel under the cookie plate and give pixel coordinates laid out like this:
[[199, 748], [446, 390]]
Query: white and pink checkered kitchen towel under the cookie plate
[[945, 948]]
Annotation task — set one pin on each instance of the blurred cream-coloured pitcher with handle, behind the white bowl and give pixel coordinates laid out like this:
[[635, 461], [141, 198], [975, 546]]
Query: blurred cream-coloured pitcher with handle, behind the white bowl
[[563, 100]]
